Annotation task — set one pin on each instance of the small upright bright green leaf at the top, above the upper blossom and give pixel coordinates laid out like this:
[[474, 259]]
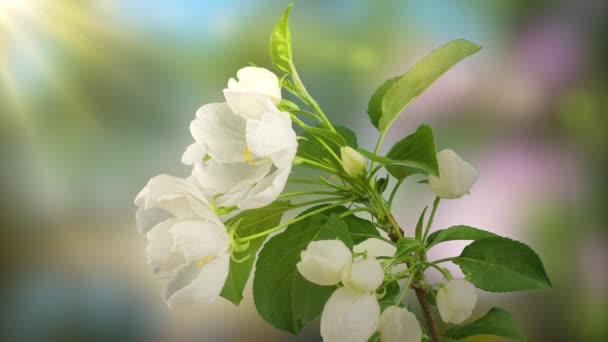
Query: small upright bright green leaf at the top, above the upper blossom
[[280, 44]]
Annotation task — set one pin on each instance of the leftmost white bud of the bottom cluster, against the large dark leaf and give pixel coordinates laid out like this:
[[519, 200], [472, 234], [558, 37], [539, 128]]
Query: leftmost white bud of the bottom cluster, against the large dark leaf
[[323, 261]]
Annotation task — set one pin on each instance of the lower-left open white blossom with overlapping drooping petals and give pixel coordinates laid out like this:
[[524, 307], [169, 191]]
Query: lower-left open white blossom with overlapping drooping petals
[[187, 242]]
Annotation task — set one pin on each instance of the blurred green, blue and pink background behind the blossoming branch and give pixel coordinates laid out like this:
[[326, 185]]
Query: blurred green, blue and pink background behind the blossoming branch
[[96, 98]]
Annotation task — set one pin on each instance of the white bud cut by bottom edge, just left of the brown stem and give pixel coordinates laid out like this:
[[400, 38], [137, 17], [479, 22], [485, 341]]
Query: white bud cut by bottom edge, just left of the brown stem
[[399, 325]]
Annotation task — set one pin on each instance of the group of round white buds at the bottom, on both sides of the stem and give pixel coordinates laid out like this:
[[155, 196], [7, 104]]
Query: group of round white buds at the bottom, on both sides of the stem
[[352, 313]]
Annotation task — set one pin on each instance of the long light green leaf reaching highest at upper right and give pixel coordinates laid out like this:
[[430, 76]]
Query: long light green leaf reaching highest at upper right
[[417, 79]]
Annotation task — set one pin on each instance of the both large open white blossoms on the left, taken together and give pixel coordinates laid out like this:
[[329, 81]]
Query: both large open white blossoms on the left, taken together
[[241, 158]]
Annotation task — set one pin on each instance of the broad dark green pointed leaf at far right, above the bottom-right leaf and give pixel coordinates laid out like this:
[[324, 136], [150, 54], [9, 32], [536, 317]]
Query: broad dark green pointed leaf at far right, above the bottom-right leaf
[[499, 264]]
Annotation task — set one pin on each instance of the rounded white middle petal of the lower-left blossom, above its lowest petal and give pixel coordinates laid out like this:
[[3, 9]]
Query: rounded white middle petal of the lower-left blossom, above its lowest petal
[[198, 240]]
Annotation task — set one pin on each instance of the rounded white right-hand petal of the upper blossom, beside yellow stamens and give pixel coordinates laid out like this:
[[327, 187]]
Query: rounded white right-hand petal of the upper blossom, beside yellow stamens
[[274, 137]]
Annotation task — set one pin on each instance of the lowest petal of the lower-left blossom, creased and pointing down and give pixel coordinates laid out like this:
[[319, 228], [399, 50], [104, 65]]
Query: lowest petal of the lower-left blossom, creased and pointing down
[[194, 286]]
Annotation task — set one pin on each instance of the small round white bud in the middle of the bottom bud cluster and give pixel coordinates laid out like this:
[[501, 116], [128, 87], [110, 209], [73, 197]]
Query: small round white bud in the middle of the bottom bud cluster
[[364, 276]]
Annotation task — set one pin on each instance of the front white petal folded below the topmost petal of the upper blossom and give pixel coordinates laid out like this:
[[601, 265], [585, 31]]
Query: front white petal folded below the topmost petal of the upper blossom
[[249, 105]]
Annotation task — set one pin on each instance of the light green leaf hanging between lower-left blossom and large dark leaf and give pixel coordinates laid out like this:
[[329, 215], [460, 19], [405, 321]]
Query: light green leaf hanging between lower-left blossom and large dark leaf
[[252, 221]]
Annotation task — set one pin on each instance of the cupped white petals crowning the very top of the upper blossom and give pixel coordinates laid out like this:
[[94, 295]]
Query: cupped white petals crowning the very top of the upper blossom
[[255, 90]]
